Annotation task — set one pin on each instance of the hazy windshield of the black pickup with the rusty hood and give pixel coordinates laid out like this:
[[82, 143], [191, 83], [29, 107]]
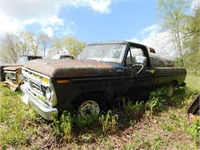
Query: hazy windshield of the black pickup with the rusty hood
[[104, 52]]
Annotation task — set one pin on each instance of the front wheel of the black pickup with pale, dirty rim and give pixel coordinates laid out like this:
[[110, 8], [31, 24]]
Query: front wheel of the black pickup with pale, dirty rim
[[90, 105]]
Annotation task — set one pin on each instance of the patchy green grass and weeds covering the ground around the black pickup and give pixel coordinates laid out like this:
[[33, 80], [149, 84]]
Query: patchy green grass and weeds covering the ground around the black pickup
[[162, 124]]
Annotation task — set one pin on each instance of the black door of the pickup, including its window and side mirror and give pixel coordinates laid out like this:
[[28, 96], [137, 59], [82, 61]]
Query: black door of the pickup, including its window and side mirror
[[139, 78]]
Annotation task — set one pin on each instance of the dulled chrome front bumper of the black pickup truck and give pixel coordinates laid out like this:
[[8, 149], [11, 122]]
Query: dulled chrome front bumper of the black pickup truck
[[45, 111]]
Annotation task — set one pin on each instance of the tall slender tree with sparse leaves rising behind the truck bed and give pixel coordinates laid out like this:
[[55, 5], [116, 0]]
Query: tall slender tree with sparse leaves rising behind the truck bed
[[172, 13]]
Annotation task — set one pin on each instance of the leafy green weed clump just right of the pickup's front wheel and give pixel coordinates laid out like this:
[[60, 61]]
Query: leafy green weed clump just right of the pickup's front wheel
[[108, 122]]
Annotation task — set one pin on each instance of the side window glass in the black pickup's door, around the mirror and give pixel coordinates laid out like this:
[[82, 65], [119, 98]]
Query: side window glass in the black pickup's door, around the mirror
[[133, 52]]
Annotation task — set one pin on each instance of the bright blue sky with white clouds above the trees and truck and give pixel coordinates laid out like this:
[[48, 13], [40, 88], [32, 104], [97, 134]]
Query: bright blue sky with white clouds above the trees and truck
[[87, 20]]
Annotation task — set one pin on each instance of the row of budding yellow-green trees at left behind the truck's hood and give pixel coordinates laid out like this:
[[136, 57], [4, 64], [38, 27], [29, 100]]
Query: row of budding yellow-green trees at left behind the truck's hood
[[27, 43]]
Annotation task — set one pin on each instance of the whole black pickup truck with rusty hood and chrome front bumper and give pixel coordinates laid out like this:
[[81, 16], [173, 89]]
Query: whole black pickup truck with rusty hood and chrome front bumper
[[101, 75]]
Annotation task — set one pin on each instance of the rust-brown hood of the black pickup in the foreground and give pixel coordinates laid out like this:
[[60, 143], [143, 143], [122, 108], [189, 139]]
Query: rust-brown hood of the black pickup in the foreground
[[72, 68]]
